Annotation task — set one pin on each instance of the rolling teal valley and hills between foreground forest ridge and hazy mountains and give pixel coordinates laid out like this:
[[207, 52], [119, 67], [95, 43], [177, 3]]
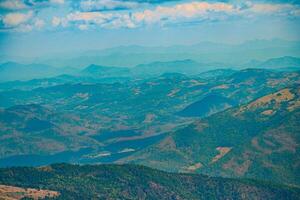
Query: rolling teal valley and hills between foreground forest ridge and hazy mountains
[[229, 123]]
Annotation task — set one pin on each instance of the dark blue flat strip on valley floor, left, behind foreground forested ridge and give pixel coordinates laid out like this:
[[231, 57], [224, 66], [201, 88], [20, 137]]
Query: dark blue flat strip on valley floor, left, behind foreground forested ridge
[[114, 152]]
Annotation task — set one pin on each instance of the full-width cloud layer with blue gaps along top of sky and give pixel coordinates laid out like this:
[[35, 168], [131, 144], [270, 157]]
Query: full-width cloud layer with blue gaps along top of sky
[[28, 15]]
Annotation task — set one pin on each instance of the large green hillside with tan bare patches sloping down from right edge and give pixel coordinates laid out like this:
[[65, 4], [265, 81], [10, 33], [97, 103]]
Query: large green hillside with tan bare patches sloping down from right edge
[[257, 140]]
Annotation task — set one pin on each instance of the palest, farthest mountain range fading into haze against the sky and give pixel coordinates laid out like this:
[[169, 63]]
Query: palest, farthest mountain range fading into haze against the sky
[[204, 52]]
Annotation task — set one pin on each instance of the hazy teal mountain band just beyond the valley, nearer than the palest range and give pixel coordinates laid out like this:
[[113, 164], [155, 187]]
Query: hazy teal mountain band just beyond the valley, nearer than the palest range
[[14, 71]]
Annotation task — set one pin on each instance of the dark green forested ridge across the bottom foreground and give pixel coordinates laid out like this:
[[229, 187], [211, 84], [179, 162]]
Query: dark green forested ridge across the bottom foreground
[[137, 182]]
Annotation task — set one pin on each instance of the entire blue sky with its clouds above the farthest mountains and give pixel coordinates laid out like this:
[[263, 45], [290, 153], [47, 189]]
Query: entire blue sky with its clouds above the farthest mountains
[[41, 27]]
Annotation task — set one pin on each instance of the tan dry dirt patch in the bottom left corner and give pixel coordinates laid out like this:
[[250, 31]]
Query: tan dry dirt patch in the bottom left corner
[[16, 193]]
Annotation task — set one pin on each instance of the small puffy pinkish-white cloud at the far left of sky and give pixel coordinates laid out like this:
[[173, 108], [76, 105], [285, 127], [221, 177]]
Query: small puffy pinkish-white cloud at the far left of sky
[[15, 19]]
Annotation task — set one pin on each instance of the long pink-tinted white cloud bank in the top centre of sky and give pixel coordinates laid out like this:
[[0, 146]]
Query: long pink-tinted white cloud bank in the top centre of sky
[[135, 19]]
